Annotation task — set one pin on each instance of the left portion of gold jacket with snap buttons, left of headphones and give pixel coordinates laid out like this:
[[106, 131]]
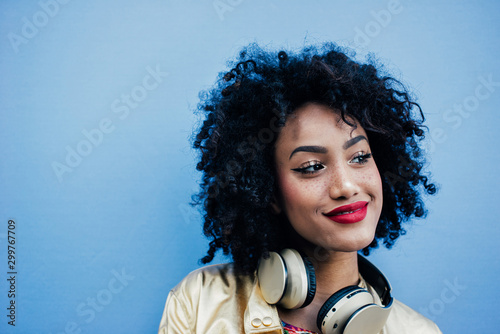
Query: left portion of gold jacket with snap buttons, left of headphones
[[217, 299]]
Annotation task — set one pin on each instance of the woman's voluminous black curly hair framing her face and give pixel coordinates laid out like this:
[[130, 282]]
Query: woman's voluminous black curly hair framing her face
[[244, 113]]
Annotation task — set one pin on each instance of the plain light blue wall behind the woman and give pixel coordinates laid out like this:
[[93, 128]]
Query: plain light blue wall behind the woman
[[116, 228]]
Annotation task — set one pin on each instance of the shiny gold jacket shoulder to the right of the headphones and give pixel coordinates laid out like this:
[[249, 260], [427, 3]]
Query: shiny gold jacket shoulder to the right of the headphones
[[405, 320]]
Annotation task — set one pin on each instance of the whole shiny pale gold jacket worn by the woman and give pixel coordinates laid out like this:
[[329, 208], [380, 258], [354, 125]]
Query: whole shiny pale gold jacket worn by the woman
[[213, 300]]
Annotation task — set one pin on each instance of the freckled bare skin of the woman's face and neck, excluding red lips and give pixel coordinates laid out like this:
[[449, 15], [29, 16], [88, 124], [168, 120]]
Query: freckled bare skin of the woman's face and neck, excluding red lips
[[323, 164]]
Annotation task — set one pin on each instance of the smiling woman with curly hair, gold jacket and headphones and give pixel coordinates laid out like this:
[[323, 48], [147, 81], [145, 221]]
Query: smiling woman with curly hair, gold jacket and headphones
[[307, 158]]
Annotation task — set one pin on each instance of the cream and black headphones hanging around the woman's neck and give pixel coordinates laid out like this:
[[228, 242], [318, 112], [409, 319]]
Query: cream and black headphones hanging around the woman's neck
[[287, 278]]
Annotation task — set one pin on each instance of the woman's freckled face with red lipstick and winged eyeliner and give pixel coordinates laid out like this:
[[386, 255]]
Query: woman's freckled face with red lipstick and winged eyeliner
[[329, 185]]
